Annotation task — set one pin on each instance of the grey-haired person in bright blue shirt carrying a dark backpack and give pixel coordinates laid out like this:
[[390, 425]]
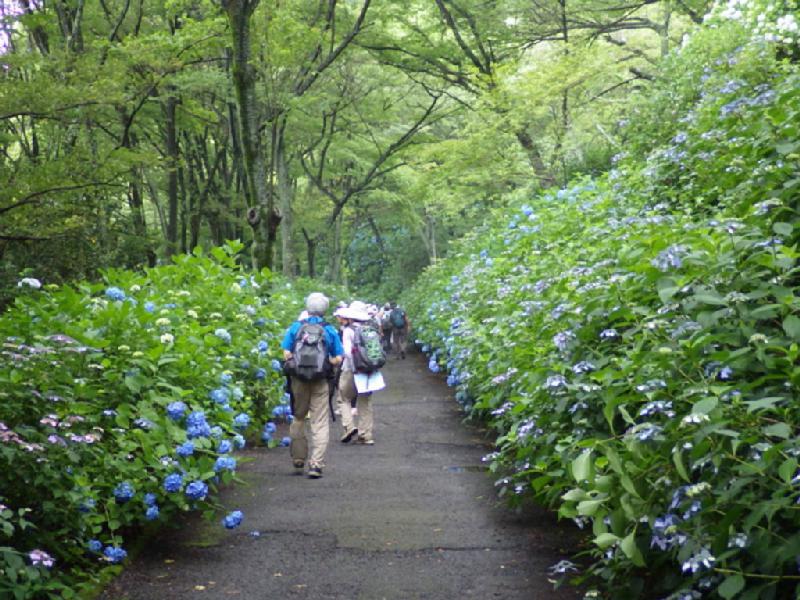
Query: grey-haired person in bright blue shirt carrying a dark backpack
[[312, 349]]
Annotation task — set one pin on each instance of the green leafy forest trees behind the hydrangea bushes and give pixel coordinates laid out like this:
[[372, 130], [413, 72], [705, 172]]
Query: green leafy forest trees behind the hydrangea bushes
[[344, 140]]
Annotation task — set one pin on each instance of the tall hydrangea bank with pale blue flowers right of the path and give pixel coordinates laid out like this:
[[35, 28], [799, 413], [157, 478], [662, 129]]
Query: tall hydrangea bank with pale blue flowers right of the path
[[633, 339]]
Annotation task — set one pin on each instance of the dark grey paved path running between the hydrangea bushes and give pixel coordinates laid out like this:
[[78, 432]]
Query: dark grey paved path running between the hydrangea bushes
[[414, 516]]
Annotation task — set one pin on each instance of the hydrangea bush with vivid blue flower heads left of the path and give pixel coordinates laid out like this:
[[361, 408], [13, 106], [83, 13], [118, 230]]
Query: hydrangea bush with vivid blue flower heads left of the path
[[120, 405]]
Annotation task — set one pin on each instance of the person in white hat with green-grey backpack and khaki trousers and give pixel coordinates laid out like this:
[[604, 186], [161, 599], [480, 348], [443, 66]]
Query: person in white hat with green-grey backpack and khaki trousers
[[363, 355]]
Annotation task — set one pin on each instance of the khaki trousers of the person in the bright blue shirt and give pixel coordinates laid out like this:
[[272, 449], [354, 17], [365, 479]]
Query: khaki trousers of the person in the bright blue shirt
[[310, 397]]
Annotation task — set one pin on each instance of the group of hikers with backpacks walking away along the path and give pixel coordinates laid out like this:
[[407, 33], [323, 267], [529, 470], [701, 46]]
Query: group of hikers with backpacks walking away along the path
[[322, 363]]
